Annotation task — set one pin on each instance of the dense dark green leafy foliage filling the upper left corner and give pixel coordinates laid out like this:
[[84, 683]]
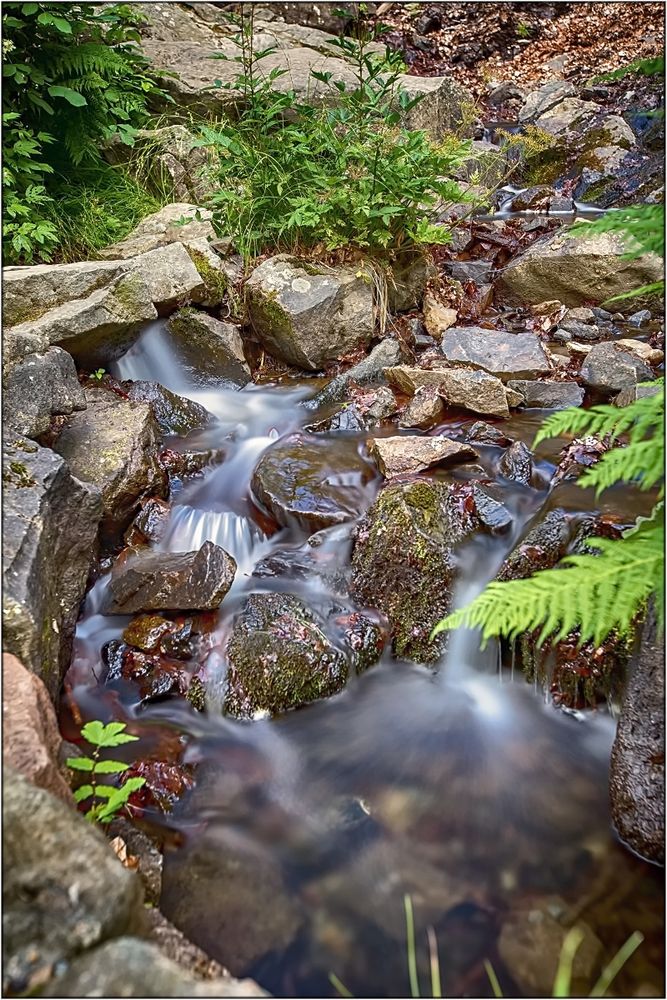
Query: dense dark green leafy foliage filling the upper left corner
[[73, 77]]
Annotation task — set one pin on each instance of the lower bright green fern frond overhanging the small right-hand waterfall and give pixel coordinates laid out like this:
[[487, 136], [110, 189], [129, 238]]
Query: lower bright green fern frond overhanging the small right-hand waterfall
[[593, 594]]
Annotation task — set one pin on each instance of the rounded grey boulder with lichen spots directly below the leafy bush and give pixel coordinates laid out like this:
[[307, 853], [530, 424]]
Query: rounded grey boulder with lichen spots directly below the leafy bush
[[309, 315]]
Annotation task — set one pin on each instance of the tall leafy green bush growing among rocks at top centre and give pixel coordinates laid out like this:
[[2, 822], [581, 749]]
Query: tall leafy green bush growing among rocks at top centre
[[295, 176]]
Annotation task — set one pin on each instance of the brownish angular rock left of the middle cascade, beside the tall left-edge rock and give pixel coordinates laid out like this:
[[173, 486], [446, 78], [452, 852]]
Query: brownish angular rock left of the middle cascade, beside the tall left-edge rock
[[113, 445]]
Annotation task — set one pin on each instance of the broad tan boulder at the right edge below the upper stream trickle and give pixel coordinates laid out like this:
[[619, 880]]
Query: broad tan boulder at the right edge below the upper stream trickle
[[577, 270]]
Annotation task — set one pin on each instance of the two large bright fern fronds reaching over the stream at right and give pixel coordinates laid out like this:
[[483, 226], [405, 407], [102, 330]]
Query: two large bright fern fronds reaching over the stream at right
[[597, 592]]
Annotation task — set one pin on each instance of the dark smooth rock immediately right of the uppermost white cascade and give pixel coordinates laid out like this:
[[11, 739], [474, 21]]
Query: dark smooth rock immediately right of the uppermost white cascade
[[216, 348]]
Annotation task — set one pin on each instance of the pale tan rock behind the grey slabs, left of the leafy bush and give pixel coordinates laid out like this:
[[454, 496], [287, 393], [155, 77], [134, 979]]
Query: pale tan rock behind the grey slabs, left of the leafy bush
[[164, 227]]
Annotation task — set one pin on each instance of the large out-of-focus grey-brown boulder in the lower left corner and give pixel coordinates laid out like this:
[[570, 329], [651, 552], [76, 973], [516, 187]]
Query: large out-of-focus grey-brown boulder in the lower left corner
[[63, 889]]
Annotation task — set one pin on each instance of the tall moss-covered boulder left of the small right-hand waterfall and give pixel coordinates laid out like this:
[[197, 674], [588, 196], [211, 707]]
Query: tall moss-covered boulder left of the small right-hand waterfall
[[403, 561]]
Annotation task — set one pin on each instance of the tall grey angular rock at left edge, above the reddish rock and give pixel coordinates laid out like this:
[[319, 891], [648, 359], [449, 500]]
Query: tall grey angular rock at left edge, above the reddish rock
[[49, 533]]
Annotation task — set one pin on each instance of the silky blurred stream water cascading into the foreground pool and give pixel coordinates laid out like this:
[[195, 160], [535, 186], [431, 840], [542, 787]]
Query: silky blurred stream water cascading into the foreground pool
[[460, 786]]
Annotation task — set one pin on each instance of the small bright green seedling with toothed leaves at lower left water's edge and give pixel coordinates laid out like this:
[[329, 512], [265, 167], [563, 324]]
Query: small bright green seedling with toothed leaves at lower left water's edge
[[112, 799]]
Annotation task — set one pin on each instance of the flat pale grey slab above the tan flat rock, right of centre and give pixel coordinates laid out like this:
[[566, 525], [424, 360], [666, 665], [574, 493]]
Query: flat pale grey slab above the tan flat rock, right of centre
[[499, 352]]
